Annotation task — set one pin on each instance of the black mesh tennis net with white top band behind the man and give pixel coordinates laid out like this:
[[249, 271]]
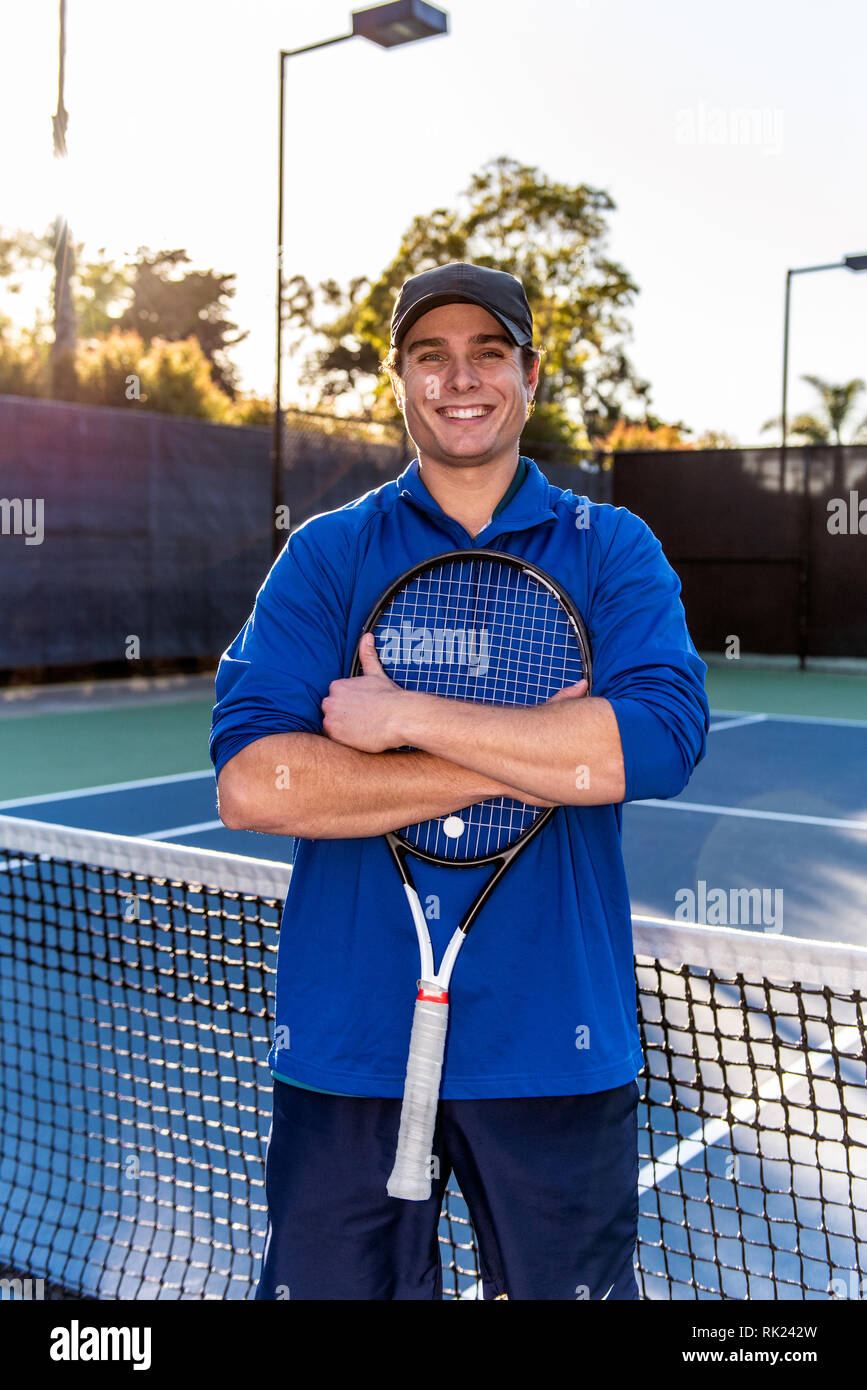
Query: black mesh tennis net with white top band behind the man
[[135, 990]]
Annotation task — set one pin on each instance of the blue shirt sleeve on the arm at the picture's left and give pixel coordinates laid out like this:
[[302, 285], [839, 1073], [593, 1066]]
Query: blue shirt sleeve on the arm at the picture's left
[[277, 672]]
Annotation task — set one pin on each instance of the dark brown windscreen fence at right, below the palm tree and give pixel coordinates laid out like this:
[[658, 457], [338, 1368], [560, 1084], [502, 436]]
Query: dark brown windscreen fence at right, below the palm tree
[[768, 551]]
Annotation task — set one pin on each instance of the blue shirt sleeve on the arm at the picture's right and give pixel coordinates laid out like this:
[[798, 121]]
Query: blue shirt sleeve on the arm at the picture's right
[[645, 664]]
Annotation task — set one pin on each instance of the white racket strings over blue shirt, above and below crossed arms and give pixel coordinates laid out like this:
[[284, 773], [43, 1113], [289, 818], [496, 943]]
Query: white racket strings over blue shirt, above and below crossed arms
[[484, 632]]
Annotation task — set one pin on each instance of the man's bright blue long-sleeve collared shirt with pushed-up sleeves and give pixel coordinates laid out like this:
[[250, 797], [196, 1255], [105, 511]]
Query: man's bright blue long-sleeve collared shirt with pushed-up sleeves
[[544, 992]]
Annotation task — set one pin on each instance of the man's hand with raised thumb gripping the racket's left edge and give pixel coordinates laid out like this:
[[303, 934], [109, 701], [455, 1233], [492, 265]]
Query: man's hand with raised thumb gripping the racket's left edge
[[365, 711]]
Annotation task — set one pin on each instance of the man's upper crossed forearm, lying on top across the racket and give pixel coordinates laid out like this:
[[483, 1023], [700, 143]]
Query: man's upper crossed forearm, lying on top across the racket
[[568, 751]]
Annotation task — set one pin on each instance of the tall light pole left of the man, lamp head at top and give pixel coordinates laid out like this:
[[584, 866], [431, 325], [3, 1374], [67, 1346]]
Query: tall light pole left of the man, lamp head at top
[[390, 26]]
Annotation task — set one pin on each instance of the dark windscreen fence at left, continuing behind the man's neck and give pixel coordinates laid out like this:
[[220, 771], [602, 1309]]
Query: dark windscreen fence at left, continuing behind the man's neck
[[134, 543]]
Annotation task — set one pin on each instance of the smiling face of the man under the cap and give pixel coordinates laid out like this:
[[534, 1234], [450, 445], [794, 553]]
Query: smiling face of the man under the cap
[[465, 393]]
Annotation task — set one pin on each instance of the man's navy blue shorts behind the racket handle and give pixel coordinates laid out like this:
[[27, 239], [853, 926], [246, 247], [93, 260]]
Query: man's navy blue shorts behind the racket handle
[[551, 1185]]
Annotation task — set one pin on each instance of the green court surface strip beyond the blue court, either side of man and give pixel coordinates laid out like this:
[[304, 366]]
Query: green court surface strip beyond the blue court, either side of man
[[66, 739]]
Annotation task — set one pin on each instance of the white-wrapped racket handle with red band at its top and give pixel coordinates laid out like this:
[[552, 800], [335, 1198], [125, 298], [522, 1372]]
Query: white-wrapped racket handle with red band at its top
[[412, 1172]]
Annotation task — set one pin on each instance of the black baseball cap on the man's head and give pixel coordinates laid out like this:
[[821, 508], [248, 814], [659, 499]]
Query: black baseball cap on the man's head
[[497, 291]]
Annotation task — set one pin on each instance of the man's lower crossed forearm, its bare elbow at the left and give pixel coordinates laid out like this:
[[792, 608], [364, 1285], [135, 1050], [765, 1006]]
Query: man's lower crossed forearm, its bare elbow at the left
[[304, 785]]
